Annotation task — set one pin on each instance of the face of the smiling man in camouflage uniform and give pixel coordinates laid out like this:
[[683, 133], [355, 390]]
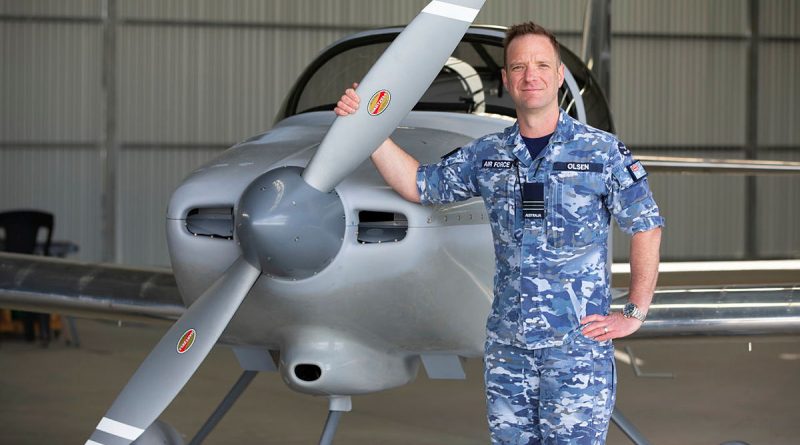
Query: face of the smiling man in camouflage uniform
[[532, 74]]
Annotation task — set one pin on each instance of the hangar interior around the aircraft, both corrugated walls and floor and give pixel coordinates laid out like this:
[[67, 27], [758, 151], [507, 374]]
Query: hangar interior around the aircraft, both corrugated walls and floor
[[106, 105]]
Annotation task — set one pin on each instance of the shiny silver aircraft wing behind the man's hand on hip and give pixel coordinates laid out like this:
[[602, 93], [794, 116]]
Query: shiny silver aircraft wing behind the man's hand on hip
[[718, 298]]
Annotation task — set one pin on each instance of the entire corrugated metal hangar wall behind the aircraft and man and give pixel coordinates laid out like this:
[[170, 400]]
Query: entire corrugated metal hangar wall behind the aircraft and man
[[193, 77]]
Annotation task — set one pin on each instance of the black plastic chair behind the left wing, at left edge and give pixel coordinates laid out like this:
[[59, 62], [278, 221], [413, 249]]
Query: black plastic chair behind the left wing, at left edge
[[21, 229]]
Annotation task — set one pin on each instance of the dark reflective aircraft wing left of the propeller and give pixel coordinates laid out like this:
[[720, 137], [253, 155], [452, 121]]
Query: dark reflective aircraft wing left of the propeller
[[43, 284]]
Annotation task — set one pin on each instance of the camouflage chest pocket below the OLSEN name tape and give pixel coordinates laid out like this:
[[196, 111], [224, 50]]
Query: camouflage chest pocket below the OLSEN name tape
[[574, 208]]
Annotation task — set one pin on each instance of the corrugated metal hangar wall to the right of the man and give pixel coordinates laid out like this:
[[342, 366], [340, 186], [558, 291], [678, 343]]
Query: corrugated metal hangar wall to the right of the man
[[680, 87]]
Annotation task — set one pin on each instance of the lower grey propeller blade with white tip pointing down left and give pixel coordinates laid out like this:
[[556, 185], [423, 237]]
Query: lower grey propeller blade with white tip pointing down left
[[175, 358]]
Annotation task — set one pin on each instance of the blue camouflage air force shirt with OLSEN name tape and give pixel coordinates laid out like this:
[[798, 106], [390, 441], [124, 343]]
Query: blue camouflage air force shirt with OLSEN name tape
[[550, 257]]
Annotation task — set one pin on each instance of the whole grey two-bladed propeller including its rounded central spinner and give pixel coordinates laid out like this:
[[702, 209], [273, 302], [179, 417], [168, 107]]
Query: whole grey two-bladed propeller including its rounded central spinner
[[289, 222]]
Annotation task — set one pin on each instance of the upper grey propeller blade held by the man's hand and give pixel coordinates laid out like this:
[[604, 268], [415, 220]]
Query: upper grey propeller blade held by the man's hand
[[390, 89]]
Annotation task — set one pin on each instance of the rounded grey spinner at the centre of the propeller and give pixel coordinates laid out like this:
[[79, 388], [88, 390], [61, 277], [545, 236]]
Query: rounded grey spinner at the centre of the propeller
[[288, 227]]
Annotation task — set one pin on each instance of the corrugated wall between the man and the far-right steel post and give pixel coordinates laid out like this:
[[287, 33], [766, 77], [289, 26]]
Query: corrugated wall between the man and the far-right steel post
[[678, 83]]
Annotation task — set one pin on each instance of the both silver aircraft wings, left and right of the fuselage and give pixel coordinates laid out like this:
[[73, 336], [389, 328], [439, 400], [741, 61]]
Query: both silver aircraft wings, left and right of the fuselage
[[699, 298]]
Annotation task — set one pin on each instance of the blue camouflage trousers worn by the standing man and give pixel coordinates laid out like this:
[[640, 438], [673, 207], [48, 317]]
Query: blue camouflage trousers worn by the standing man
[[558, 395]]
